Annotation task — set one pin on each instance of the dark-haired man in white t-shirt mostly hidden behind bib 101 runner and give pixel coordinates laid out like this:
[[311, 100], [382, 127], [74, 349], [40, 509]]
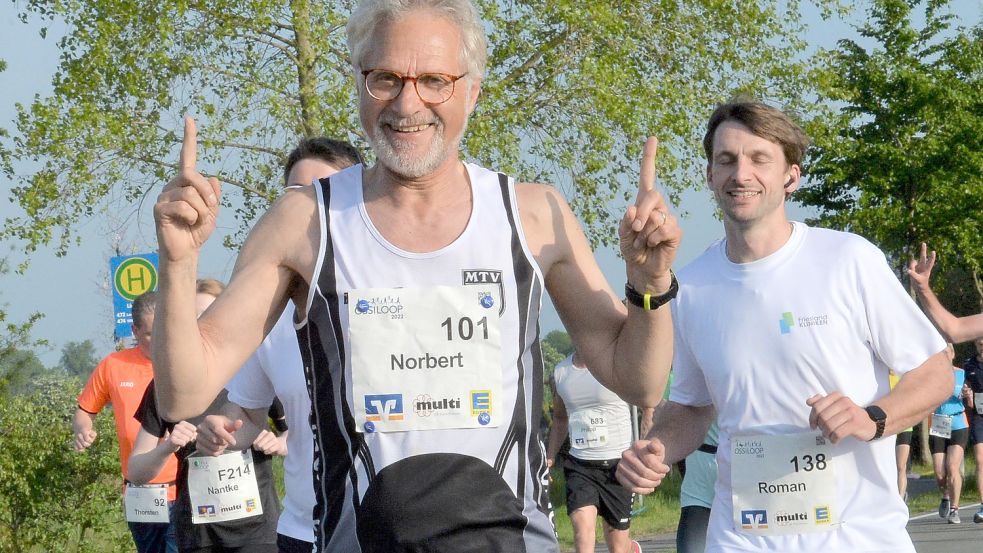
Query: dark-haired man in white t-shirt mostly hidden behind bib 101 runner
[[276, 370]]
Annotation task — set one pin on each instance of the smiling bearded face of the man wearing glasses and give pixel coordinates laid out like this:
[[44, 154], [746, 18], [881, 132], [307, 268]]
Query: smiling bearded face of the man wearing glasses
[[412, 138]]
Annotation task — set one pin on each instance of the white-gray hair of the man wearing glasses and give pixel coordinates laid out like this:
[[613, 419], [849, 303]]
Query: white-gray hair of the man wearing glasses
[[462, 13]]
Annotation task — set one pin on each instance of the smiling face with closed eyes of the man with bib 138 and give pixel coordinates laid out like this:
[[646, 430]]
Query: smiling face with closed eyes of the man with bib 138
[[749, 177]]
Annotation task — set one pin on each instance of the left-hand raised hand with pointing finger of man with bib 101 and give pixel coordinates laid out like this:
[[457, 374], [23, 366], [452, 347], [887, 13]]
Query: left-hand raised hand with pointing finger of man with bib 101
[[187, 209]]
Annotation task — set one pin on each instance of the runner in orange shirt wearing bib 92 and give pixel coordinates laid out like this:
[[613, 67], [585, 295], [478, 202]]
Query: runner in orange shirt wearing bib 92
[[121, 379]]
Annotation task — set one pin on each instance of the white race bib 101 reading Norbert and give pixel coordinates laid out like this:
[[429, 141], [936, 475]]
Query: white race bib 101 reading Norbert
[[425, 358]]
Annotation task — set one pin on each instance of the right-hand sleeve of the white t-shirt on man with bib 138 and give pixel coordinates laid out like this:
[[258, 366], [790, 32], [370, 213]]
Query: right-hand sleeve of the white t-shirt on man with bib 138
[[899, 333]]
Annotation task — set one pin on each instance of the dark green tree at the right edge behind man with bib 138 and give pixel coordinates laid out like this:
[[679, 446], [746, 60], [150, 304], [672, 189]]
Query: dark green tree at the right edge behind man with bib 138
[[900, 160]]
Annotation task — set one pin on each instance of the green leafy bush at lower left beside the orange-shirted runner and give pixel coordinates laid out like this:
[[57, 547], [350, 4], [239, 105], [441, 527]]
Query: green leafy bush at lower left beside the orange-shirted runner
[[52, 498]]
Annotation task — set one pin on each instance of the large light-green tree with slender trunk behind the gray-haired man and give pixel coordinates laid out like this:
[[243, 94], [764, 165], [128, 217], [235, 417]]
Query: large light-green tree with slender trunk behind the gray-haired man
[[572, 89]]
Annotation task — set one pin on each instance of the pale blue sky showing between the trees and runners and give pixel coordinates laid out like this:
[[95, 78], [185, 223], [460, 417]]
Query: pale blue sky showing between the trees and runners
[[73, 291]]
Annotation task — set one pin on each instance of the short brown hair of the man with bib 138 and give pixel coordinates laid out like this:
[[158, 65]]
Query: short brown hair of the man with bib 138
[[763, 120]]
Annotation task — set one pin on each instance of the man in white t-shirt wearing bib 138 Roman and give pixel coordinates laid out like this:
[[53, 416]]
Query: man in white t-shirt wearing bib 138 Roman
[[787, 332]]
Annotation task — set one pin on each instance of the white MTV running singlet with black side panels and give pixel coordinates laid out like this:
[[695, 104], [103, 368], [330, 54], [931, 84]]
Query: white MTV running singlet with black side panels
[[436, 489]]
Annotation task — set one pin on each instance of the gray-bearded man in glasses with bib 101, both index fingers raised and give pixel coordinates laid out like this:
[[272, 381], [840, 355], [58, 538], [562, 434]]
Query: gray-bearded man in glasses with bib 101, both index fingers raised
[[417, 284]]
